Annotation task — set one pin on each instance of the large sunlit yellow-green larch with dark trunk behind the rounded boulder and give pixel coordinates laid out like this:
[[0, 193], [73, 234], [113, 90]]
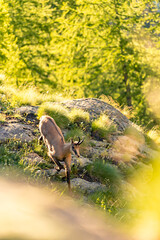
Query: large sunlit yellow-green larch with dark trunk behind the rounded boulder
[[97, 47]]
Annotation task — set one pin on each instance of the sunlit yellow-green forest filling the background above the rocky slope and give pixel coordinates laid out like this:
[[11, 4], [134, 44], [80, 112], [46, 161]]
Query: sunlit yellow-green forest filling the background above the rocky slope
[[84, 49]]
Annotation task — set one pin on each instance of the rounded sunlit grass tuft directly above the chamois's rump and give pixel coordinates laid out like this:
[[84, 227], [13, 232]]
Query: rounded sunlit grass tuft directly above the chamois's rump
[[56, 111]]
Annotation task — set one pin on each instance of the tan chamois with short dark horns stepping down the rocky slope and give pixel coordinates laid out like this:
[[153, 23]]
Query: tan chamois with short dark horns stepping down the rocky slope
[[58, 150]]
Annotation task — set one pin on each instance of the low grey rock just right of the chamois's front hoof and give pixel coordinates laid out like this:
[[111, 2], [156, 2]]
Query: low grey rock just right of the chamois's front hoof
[[86, 187]]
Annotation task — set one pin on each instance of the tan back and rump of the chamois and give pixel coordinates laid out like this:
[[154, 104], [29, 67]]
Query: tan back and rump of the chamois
[[51, 131]]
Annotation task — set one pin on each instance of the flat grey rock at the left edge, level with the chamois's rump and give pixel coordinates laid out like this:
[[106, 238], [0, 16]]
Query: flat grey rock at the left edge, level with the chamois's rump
[[18, 131]]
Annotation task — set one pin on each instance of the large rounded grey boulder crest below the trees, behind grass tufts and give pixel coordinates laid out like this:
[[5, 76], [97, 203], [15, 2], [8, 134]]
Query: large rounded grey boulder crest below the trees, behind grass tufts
[[95, 107]]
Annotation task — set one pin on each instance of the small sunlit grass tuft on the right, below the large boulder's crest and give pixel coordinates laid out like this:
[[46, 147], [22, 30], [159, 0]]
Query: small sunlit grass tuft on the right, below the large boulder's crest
[[102, 127]]
